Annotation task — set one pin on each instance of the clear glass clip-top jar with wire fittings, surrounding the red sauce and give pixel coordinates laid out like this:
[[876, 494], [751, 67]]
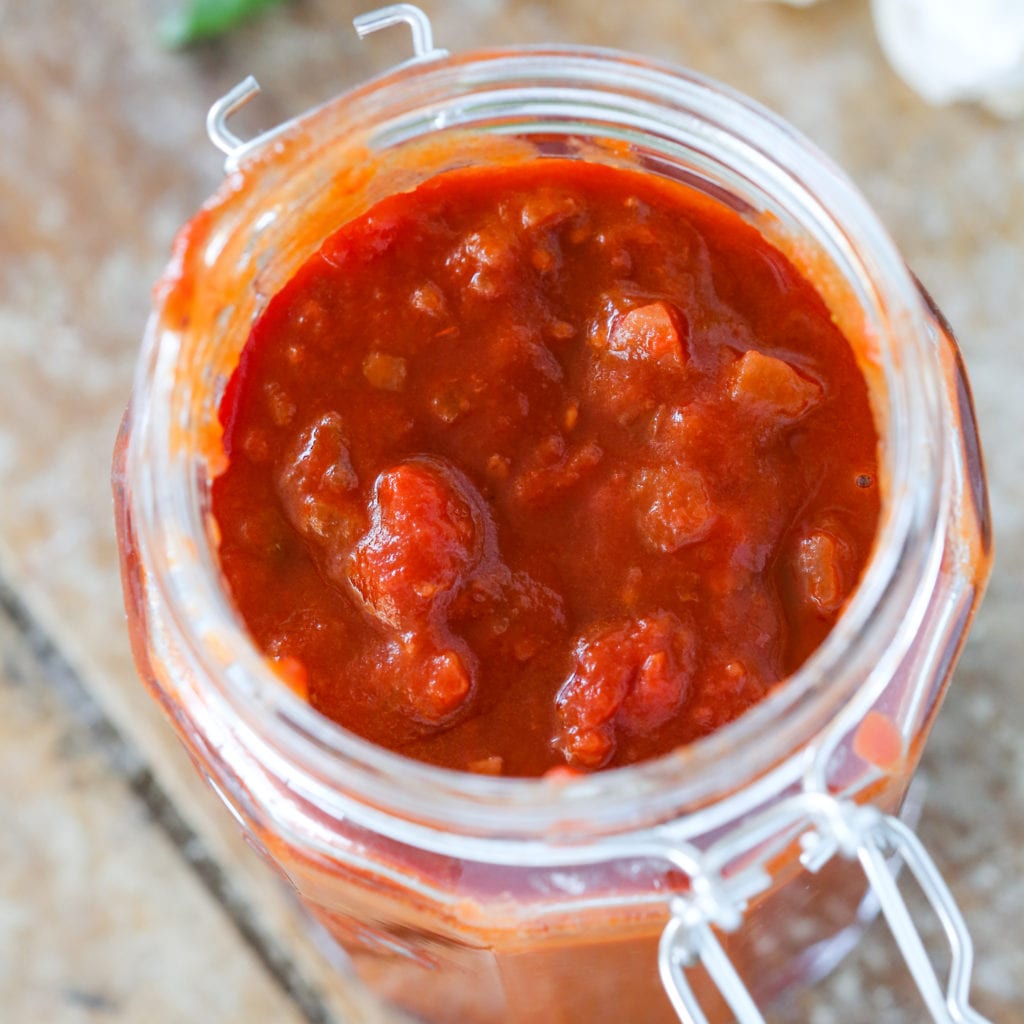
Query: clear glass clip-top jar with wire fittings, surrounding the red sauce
[[730, 865]]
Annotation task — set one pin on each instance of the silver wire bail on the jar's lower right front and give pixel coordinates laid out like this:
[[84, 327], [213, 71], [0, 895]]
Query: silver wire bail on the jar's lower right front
[[825, 827]]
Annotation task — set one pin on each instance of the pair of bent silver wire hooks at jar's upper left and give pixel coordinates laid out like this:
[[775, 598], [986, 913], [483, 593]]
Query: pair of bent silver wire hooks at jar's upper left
[[235, 148]]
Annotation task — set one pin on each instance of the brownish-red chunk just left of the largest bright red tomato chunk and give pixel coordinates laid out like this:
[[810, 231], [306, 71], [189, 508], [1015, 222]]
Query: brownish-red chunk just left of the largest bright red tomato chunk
[[316, 479]]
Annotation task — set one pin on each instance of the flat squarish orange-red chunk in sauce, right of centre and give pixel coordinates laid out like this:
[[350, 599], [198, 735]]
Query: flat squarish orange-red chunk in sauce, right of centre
[[673, 508]]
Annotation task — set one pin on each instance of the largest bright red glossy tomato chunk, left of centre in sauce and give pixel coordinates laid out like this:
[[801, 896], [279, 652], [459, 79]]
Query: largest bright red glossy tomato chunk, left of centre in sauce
[[425, 537]]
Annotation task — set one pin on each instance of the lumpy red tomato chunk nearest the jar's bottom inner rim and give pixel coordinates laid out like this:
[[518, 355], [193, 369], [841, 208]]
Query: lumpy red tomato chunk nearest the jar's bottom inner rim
[[632, 678]]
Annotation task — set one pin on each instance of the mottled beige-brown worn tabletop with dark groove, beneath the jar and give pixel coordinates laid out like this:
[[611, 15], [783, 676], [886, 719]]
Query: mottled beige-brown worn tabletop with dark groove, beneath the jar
[[125, 894]]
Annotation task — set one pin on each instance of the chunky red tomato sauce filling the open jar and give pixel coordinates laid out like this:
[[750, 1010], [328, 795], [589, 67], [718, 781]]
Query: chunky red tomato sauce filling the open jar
[[544, 465]]
